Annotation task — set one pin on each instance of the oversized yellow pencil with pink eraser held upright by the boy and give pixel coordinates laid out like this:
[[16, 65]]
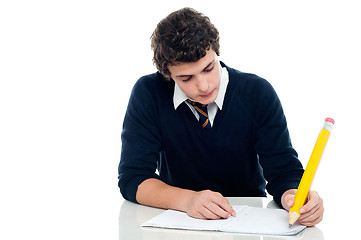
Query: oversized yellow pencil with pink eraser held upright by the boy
[[307, 177]]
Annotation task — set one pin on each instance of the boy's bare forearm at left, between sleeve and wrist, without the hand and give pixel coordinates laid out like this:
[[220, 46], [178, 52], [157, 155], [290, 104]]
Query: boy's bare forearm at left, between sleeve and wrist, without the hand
[[155, 193]]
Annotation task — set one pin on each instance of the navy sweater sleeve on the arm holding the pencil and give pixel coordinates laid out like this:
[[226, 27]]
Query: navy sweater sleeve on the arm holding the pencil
[[279, 160]]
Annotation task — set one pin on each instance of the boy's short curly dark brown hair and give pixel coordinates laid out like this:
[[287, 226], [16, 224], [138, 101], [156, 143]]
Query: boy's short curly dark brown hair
[[183, 36]]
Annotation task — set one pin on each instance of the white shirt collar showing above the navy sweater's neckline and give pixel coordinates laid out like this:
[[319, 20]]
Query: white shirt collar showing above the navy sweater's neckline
[[179, 96]]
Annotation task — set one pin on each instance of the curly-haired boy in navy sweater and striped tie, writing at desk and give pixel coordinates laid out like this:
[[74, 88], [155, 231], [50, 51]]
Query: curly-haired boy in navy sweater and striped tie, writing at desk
[[209, 130]]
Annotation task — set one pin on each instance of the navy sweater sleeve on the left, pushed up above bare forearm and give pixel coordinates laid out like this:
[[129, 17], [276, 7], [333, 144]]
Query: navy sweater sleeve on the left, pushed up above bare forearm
[[140, 141]]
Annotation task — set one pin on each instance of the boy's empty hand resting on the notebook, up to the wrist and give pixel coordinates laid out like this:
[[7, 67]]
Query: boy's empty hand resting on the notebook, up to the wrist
[[208, 205]]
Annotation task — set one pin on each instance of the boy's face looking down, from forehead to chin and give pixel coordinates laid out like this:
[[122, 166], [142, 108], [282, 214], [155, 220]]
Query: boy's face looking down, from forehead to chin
[[198, 80]]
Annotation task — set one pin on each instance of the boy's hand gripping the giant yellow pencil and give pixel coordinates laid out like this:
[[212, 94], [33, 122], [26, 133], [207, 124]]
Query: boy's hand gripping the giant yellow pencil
[[311, 212]]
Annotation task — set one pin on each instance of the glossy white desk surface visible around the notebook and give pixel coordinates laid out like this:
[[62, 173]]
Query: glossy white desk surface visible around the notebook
[[132, 215]]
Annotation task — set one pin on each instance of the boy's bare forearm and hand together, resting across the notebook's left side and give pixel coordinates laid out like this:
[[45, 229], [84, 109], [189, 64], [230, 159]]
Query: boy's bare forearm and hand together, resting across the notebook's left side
[[204, 204]]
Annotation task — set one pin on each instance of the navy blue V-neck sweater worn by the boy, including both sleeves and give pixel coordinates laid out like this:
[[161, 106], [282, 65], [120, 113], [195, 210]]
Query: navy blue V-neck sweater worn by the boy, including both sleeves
[[247, 149]]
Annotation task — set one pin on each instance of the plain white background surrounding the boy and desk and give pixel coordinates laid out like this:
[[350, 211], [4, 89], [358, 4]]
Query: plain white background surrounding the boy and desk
[[67, 69]]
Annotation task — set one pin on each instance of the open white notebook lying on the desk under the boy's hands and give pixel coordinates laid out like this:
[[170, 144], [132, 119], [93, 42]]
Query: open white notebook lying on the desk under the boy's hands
[[249, 220]]
